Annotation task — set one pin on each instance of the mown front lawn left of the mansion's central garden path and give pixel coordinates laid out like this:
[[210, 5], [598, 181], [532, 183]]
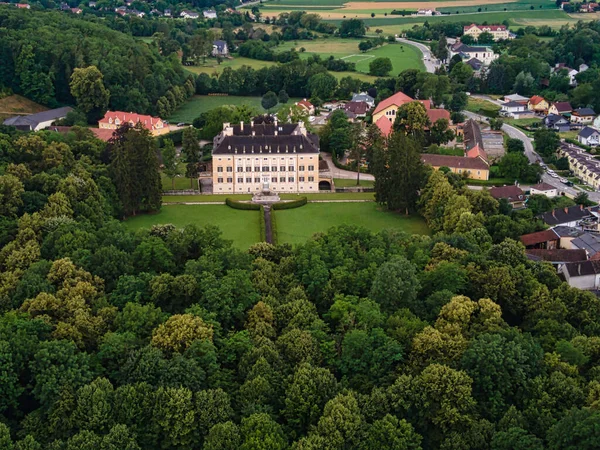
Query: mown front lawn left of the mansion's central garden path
[[242, 227]]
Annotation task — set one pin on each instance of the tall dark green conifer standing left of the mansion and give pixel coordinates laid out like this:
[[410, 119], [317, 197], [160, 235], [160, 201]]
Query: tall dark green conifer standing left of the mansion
[[135, 171]]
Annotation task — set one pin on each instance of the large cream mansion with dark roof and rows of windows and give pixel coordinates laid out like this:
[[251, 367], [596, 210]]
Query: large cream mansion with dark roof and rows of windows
[[248, 158]]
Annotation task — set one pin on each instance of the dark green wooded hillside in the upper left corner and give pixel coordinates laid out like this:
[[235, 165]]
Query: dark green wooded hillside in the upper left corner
[[40, 51]]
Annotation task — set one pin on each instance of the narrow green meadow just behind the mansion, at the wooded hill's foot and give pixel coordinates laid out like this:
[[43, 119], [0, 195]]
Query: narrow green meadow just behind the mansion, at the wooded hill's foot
[[202, 103]]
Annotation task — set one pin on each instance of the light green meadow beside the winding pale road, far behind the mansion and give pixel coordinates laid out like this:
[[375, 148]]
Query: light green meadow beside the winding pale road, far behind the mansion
[[402, 56]]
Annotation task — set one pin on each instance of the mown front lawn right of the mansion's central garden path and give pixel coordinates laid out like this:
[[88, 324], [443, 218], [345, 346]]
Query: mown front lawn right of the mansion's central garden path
[[297, 225]]
